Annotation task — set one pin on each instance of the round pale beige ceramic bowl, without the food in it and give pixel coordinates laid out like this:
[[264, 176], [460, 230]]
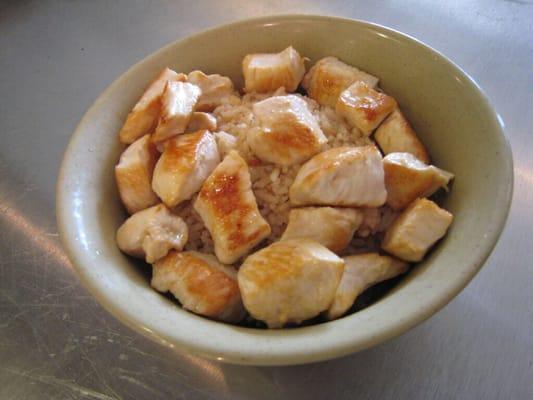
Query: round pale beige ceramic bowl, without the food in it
[[448, 111]]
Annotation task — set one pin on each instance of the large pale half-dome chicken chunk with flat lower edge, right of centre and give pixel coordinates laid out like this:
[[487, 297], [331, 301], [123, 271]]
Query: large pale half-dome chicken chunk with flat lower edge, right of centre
[[342, 176]]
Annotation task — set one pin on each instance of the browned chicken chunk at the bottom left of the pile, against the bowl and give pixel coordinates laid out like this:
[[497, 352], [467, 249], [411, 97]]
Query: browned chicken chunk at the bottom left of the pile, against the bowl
[[201, 284]]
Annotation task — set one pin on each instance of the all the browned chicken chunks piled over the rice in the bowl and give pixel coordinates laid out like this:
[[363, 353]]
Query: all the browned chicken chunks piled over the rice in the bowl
[[176, 154]]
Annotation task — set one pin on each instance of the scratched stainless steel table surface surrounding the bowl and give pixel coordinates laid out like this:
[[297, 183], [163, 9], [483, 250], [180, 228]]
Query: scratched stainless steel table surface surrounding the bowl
[[57, 342]]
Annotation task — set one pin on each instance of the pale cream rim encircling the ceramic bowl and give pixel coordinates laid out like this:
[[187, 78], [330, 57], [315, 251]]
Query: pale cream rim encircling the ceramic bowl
[[230, 351]]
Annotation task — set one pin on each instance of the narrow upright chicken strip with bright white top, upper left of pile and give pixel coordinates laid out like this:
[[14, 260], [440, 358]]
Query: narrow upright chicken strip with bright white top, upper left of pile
[[177, 105]]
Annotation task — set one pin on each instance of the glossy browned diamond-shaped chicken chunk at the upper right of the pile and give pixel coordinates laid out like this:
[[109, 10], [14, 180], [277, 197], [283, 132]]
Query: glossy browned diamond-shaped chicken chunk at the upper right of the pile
[[364, 107]]
